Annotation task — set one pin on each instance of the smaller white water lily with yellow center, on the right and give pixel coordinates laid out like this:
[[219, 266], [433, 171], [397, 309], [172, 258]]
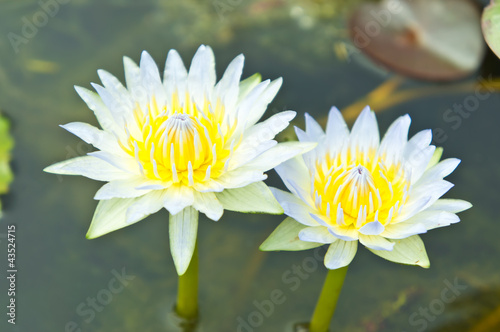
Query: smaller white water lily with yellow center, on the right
[[353, 187]]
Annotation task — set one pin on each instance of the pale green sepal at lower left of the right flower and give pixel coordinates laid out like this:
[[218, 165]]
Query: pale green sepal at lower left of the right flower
[[286, 237]]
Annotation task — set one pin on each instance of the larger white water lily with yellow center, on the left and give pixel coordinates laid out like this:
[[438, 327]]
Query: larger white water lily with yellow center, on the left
[[185, 144]]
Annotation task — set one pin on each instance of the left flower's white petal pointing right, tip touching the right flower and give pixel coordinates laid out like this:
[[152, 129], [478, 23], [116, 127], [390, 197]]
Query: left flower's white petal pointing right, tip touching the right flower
[[278, 154]]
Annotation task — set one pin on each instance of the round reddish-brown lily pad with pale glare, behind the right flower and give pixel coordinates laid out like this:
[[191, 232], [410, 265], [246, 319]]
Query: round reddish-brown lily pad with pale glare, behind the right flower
[[436, 40]]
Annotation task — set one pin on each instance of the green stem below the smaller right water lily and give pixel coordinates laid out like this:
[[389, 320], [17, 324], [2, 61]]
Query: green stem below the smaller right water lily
[[327, 301]]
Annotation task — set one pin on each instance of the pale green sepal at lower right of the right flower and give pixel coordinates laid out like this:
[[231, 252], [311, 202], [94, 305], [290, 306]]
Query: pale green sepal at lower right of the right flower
[[409, 251]]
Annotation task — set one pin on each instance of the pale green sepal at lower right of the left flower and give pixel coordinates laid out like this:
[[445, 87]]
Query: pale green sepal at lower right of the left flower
[[254, 198]]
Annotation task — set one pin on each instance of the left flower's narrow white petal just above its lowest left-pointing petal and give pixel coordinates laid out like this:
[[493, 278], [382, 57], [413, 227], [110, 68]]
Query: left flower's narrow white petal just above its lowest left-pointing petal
[[102, 140]]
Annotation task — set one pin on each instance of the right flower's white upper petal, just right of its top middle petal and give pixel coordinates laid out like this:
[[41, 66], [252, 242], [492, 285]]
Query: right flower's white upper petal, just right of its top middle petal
[[394, 141]]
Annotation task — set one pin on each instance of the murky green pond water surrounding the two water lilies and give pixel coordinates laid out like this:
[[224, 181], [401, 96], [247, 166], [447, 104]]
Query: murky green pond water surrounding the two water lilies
[[59, 271]]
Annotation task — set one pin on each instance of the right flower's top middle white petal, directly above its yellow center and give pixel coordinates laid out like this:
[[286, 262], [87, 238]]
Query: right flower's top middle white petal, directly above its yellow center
[[364, 134]]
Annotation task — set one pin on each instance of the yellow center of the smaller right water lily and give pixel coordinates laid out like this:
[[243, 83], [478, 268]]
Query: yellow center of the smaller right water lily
[[352, 190]]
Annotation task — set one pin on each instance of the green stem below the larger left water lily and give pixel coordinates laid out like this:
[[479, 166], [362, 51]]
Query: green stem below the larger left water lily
[[187, 295]]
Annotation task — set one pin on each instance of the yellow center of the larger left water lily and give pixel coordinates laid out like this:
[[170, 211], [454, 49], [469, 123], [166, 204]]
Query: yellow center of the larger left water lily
[[187, 144]]
